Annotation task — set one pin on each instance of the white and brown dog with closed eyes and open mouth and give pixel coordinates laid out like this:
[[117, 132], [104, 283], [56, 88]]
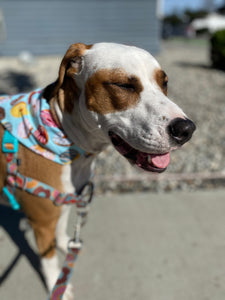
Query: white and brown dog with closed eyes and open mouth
[[105, 94]]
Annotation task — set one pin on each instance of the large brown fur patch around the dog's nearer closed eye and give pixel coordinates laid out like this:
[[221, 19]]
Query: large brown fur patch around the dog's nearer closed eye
[[108, 91]]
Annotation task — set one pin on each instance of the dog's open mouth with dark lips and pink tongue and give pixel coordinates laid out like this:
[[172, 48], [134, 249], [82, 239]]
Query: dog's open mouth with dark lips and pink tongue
[[146, 161]]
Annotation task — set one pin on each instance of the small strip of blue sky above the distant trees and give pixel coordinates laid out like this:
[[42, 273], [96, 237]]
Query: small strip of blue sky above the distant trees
[[171, 6]]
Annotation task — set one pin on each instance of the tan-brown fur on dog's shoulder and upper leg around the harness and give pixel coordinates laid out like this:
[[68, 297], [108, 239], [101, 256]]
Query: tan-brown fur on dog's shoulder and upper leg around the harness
[[41, 212]]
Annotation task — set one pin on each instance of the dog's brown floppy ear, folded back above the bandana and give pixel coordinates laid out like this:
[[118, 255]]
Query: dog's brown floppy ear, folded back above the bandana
[[64, 89]]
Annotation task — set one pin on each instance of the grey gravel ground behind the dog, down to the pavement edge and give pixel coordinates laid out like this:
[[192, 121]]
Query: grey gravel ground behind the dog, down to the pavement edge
[[193, 85]]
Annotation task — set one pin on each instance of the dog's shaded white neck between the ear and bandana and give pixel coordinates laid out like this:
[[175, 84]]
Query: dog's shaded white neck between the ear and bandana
[[80, 129]]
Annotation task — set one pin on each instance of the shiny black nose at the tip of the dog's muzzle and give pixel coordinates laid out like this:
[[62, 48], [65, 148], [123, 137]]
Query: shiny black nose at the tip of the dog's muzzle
[[181, 130]]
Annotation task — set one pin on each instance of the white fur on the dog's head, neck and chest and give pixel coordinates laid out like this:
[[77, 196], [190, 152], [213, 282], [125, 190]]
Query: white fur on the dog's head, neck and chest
[[144, 126]]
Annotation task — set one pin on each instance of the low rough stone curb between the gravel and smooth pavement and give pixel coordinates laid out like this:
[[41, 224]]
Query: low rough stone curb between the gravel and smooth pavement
[[159, 182]]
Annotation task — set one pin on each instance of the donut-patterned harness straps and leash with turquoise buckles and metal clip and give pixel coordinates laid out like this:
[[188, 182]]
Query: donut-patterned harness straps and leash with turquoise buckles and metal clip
[[82, 200]]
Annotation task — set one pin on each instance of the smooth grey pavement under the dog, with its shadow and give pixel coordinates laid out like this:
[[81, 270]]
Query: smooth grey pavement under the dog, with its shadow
[[136, 246]]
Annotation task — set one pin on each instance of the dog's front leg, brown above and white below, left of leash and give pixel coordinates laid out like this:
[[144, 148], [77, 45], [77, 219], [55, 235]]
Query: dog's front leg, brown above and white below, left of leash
[[43, 216]]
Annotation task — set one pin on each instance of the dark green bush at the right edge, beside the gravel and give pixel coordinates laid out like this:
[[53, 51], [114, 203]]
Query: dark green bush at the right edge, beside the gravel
[[217, 50]]
